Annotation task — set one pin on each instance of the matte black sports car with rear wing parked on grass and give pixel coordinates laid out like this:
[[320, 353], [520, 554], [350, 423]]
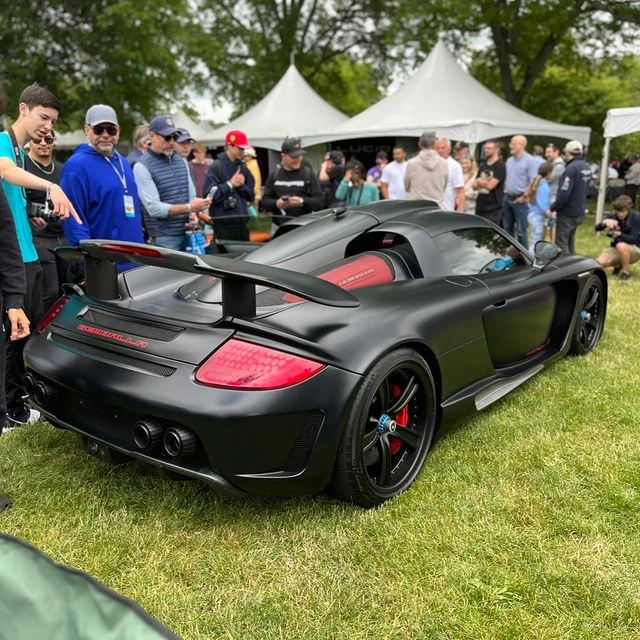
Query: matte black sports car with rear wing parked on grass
[[333, 356]]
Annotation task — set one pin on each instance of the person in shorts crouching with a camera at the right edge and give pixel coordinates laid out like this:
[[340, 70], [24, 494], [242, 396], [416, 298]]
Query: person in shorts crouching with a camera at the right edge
[[623, 227]]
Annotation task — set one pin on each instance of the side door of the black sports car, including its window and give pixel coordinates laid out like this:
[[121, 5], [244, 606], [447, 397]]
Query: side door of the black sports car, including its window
[[518, 321]]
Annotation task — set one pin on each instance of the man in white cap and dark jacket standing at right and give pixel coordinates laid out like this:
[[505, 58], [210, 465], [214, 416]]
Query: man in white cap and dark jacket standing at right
[[571, 198]]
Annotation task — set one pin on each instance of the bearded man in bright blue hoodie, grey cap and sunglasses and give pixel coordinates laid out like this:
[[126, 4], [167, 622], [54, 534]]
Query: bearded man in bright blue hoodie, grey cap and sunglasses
[[100, 184]]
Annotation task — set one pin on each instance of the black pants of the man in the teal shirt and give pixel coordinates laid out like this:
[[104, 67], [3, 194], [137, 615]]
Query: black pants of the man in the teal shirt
[[15, 363]]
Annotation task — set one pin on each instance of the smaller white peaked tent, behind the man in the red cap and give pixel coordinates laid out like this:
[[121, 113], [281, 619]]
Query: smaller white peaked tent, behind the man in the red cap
[[291, 108]]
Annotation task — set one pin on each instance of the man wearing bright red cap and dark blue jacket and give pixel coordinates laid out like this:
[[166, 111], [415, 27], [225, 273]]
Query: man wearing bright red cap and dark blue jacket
[[230, 186]]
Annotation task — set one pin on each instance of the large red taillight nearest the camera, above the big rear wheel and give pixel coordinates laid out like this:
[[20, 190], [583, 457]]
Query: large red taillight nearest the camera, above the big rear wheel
[[244, 365]]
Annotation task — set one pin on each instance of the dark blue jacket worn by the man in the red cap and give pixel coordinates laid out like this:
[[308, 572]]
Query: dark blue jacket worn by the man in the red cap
[[218, 176]]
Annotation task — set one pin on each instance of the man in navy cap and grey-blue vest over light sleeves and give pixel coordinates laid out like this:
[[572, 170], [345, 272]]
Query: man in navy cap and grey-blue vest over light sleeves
[[166, 188]]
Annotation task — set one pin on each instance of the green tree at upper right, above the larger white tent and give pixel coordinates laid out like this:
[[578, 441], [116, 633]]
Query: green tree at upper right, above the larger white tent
[[524, 34]]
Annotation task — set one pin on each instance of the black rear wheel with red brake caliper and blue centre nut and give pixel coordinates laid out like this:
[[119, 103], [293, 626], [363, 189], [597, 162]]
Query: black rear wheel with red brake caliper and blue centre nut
[[377, 460]]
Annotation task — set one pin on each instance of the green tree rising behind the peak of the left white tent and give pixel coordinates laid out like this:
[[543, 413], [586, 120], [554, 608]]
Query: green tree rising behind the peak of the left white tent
[[255, 41]]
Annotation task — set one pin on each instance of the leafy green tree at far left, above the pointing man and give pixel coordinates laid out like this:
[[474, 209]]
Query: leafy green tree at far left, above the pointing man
[[130, 54]]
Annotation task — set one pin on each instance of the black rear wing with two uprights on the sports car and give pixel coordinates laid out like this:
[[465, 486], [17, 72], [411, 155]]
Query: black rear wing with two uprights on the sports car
[[239, 278]]
